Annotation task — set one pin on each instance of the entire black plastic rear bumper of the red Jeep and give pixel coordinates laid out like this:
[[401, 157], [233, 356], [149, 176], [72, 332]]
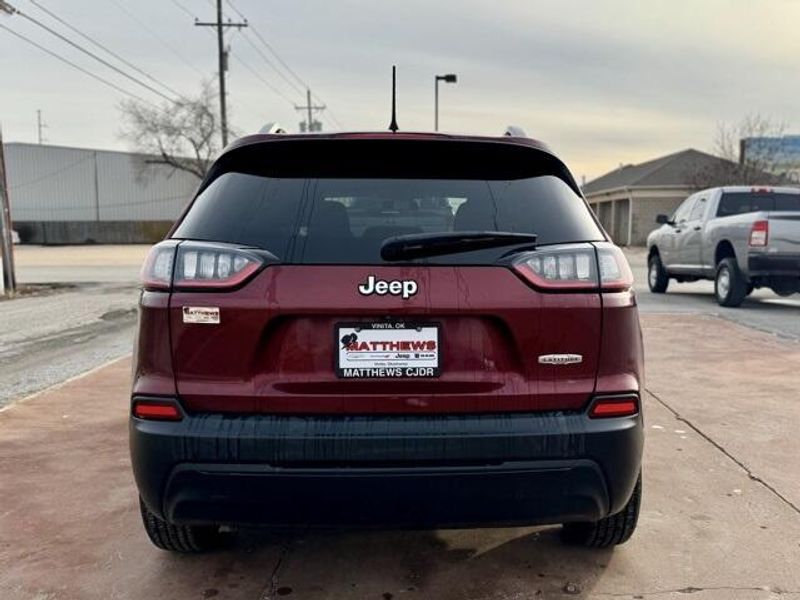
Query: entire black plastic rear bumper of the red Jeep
[[406, 471]]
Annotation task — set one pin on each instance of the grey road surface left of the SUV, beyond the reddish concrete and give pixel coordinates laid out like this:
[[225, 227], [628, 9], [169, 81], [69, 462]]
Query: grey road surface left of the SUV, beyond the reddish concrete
[[88, 320]]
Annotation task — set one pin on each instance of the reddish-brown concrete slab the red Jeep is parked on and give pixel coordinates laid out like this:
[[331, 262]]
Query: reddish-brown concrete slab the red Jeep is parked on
[[719, 517]]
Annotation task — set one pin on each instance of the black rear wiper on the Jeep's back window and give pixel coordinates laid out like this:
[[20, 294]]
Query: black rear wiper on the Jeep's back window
[[420, 245]]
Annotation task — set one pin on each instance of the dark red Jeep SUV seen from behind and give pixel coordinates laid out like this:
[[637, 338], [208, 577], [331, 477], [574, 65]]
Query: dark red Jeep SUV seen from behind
[[387, 330]]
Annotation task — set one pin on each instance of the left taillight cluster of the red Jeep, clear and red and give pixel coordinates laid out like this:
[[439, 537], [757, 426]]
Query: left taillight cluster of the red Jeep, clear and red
[[198, 265]]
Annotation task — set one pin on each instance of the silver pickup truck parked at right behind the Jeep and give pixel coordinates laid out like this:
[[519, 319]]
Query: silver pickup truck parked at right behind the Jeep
[[741, 237]]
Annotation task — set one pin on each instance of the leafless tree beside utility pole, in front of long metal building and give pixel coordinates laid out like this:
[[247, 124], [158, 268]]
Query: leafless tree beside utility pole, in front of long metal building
[[184, 134]]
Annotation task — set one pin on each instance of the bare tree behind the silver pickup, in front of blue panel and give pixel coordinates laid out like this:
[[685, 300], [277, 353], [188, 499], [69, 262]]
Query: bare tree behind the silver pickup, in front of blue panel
[[750, 152]]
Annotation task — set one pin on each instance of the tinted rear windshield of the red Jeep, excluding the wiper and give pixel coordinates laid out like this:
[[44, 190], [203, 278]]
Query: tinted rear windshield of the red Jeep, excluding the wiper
[[345, 221]]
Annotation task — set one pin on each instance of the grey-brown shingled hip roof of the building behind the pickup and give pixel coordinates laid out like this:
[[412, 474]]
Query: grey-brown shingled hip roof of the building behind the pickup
[[678, 169]]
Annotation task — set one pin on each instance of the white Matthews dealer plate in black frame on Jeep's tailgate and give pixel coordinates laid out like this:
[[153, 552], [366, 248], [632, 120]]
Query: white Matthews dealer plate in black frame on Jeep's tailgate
[[387, 350]]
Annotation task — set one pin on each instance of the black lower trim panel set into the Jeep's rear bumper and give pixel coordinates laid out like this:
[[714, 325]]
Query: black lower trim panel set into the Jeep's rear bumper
[[510, 494]]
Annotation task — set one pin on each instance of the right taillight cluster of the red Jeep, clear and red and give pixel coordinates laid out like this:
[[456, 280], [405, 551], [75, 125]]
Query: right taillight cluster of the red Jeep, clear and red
[[575, 267]]
